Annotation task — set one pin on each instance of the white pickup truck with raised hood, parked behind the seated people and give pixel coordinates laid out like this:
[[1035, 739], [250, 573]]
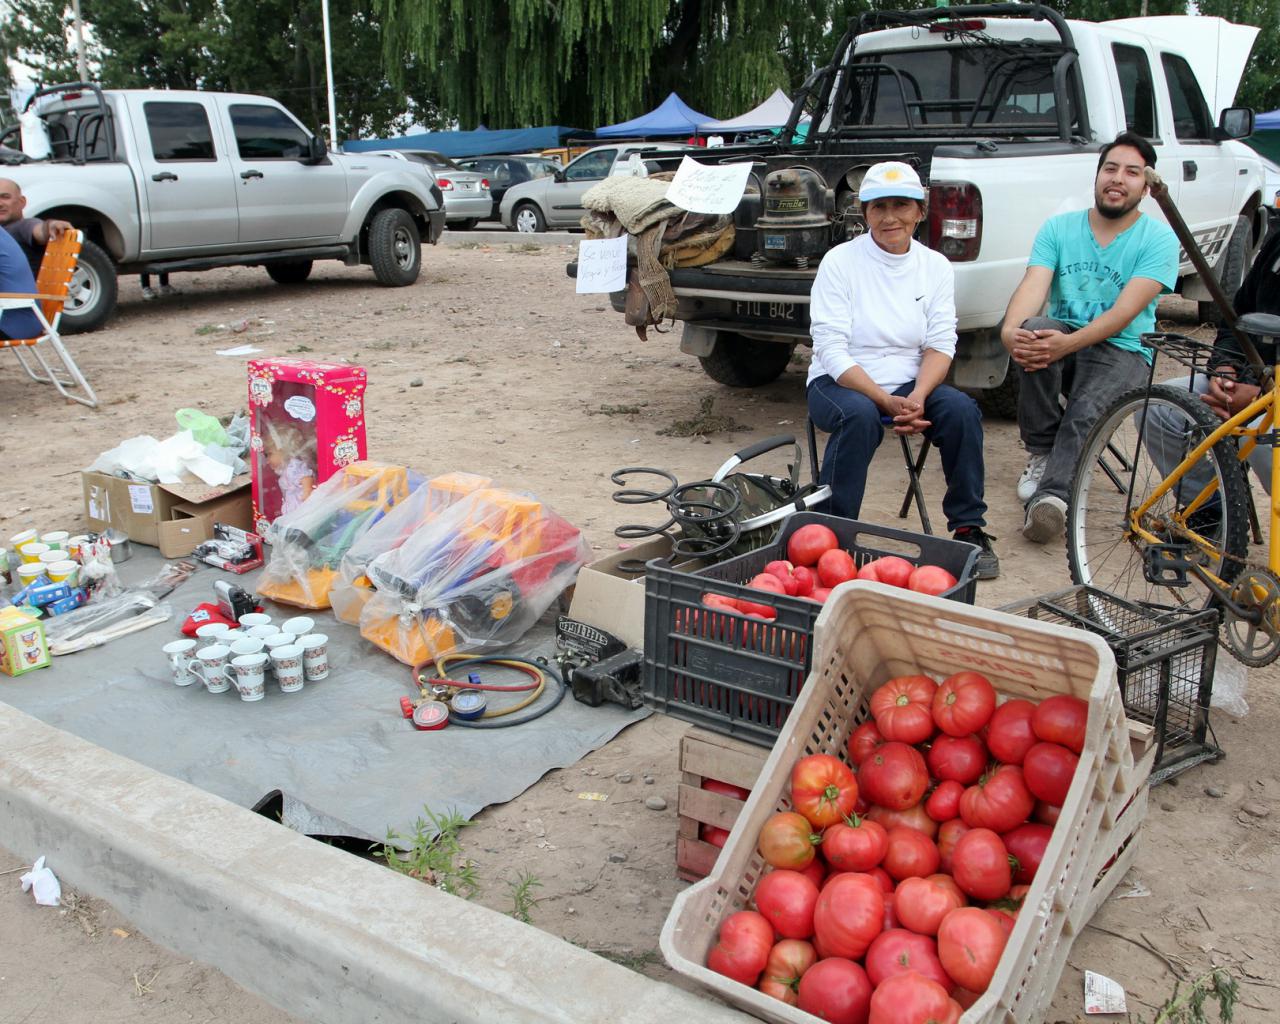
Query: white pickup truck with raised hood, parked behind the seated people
[[1003, 108]]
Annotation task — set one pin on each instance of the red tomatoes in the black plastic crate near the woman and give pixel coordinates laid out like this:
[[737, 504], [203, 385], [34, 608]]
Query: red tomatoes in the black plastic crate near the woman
[[816, 564]]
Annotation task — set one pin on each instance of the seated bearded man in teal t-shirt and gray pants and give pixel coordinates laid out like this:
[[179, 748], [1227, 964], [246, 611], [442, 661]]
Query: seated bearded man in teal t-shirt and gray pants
[[1103, 272]]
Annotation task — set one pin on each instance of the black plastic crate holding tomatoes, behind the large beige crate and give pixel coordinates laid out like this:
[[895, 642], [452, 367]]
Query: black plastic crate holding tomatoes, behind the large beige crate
[[738, 675]]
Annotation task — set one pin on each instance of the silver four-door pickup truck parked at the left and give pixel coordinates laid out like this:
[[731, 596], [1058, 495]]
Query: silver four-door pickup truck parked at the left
[[191, 181]]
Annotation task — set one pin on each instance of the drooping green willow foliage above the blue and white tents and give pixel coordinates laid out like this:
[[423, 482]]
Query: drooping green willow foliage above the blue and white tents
[[591, 62]]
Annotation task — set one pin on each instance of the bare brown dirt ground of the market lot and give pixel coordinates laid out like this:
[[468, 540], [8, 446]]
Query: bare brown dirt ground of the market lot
[[492, 364]]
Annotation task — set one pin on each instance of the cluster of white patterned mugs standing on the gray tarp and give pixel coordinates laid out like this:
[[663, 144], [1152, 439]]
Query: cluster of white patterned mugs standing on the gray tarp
[[243, 657]]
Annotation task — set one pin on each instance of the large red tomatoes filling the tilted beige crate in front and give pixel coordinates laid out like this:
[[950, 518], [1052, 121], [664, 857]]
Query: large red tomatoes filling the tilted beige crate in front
[[894, 886]]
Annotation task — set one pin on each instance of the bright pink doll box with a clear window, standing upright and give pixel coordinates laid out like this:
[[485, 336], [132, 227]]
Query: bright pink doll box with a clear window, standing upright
[[308, 422]]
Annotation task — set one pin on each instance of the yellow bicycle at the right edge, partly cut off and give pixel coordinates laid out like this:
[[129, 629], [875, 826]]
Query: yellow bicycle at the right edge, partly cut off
[[1162, 509]]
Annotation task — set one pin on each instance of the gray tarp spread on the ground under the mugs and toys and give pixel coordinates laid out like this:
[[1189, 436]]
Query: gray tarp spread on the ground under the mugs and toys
[[346, 761]]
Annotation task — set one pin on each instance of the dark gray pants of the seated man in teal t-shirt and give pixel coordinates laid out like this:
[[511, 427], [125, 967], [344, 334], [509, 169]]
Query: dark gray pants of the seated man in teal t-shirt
[[1091, 380]]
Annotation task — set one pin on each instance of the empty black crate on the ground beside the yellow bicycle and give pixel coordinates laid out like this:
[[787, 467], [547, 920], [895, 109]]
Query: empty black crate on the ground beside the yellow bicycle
[[1165, 662]]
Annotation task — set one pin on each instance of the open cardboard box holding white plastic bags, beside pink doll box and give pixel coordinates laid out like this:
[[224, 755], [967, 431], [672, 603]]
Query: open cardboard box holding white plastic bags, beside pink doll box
[[139, 509]]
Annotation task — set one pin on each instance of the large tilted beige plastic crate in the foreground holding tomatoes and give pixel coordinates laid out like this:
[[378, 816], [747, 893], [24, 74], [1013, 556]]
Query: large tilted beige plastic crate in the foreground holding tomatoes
[[868, 634]]
